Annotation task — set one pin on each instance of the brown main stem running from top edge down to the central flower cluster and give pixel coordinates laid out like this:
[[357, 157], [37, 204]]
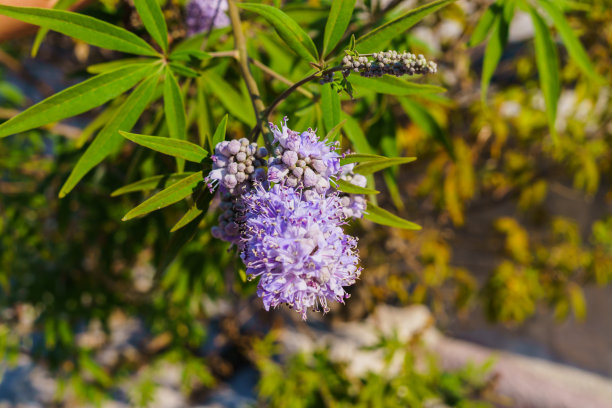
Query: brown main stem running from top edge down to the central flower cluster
[[243, 61]]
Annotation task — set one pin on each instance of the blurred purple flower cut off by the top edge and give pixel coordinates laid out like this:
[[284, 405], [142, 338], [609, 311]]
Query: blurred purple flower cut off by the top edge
[[203, 15]]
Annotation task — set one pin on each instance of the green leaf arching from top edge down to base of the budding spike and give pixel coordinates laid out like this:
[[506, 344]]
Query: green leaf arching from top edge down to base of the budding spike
[[291, 33]]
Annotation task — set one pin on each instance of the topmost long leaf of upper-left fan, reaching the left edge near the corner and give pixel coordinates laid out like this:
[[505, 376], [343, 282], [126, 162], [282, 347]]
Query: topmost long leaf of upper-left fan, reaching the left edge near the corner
[[88, 29]]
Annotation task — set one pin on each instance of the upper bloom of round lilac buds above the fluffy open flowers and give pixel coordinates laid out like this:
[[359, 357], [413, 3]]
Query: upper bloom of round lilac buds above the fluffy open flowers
[[302, 159]]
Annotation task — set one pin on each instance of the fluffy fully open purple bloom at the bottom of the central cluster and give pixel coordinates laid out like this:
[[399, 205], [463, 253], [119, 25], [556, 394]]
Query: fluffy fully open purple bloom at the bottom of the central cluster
[[298, 248]]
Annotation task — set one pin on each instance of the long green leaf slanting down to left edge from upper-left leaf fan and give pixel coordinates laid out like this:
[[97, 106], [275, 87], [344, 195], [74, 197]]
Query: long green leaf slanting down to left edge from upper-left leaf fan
[[77, 99]]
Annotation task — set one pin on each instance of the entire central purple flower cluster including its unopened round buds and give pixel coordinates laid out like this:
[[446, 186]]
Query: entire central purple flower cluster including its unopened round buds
[[287, 222]]
